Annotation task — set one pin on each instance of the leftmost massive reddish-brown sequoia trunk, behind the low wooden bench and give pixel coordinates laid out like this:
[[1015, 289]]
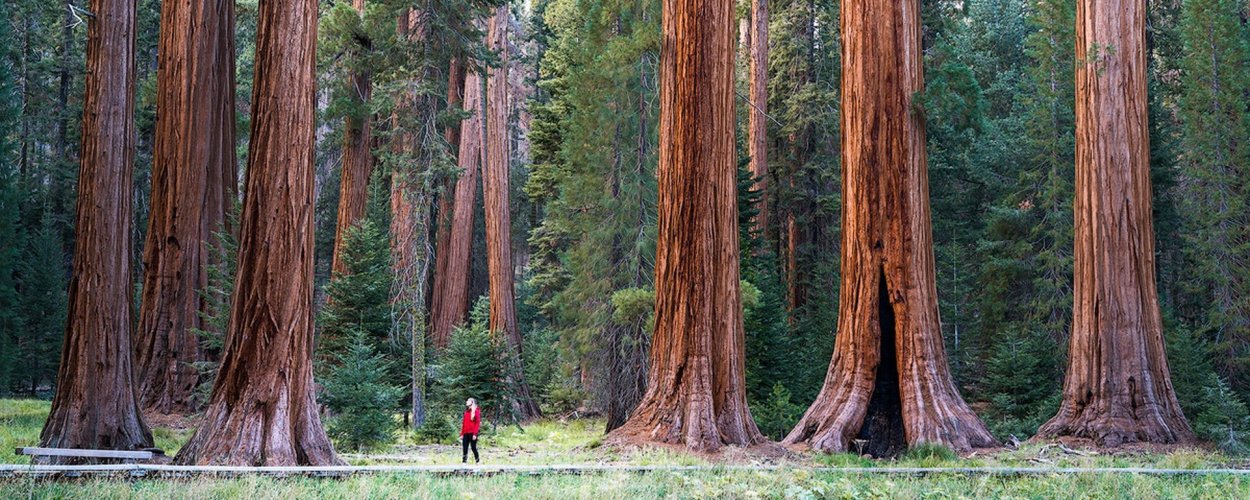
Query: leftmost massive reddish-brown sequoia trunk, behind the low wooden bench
[[96, 404]]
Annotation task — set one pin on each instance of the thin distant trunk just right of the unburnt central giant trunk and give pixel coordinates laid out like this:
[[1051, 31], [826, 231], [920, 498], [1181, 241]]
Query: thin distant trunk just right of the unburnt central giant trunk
[[758, 142]]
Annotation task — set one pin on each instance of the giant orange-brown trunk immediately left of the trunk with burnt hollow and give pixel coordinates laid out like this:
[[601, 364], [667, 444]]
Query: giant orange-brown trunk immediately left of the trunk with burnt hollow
[[696, 392]]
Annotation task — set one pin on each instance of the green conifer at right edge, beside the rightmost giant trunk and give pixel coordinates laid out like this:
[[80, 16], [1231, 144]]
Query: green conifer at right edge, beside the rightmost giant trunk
[[1216, 198]]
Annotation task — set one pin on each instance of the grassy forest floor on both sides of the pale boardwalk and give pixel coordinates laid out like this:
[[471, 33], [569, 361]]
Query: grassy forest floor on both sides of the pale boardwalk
[[579, 443]]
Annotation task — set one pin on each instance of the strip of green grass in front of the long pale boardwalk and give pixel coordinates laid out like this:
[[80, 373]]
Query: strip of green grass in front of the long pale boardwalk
[[791, 484]]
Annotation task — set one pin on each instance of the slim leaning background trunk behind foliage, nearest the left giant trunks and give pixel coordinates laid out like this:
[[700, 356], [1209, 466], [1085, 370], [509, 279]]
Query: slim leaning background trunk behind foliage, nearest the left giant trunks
[[358, 159]]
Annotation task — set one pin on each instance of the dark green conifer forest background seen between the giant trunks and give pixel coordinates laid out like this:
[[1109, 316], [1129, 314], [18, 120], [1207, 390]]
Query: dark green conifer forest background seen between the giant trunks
[[1001, 124]]
